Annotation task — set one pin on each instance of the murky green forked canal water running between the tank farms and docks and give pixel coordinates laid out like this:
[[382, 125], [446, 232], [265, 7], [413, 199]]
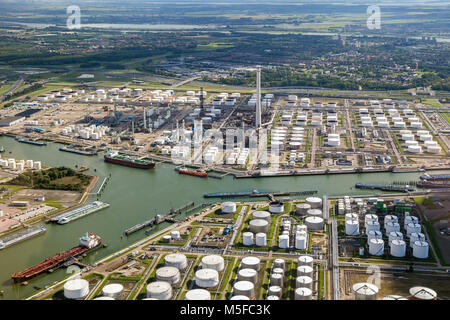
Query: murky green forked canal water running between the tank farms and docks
[[135, 196]]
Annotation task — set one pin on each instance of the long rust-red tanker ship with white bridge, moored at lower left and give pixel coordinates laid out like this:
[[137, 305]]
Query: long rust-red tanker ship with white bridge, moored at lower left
[[88, 243]]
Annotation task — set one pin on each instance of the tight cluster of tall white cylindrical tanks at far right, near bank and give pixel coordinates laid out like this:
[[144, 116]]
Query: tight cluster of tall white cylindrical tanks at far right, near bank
[[394, 230]]
